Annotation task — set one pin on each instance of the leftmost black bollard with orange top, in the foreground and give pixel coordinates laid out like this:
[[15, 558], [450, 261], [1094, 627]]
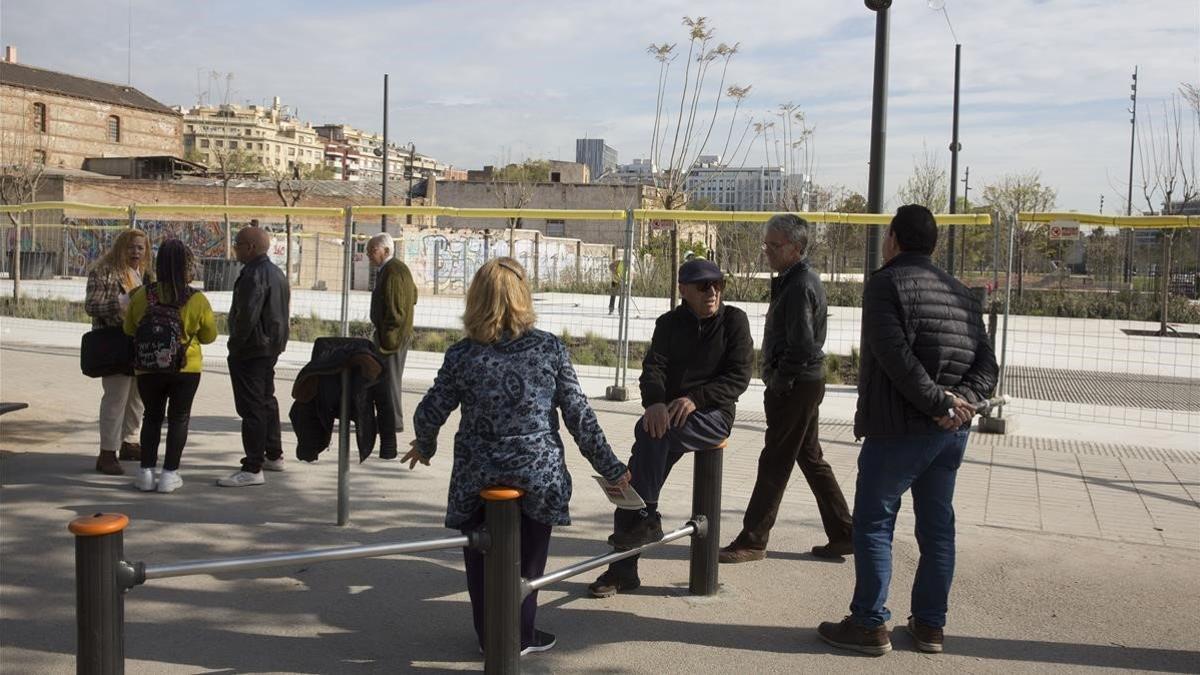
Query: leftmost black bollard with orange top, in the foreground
[[100, 595]]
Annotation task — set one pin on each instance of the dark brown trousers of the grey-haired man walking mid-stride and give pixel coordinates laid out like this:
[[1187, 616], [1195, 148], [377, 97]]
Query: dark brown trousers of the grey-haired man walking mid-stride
[[791, 440]]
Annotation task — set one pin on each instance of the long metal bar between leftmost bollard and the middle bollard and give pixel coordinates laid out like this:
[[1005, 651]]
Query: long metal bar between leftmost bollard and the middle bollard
[[285, 560]]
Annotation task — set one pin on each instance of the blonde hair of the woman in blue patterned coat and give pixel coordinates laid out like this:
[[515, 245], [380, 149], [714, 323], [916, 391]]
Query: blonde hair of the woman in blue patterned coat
[[499, 303]]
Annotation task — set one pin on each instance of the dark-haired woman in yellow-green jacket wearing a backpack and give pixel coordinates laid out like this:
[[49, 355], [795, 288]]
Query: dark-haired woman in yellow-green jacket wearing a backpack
[[169, 321]]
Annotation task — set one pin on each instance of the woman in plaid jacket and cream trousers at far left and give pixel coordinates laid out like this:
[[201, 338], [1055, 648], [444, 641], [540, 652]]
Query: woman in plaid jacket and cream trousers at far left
[[116, 276]]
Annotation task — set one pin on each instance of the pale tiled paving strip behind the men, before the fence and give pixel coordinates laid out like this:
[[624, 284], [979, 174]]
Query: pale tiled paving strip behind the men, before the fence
[[1101, 491]]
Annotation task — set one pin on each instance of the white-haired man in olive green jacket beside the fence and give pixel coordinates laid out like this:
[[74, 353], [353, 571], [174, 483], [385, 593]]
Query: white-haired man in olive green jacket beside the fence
[[392, 314]]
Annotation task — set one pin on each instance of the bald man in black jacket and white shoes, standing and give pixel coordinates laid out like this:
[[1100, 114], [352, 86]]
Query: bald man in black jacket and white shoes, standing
[[259, 333]]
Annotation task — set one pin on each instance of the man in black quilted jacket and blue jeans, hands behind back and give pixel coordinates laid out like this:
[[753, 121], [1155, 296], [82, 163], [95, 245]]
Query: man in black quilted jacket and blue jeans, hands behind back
[[926, 361]]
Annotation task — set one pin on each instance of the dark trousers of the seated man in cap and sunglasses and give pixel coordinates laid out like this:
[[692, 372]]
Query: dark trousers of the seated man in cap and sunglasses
[[653, 459]]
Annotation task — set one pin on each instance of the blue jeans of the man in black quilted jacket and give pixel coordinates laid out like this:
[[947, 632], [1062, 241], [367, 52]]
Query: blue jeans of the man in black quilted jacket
[[887, 468]]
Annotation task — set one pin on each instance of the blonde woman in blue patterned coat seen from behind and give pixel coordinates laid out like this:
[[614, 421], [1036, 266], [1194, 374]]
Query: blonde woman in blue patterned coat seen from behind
[[512, 381]]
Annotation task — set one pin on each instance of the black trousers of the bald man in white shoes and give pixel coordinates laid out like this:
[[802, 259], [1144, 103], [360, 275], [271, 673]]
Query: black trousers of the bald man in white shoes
[[254, 398]]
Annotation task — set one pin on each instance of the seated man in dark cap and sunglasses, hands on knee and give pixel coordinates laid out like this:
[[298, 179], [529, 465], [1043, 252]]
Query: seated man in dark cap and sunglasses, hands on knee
[[698, 366]]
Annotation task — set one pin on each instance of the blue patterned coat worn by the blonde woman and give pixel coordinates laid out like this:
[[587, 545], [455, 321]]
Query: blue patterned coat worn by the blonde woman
[[509, 429]]
